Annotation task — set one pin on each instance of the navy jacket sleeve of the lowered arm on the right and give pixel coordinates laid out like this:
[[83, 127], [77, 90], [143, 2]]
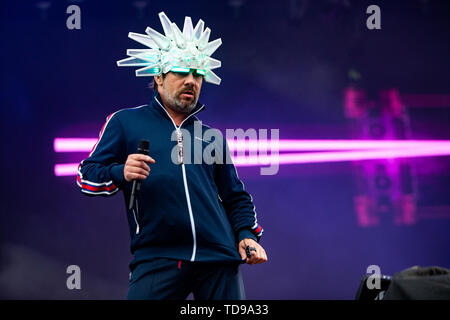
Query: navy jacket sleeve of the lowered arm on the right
[[237, 202]]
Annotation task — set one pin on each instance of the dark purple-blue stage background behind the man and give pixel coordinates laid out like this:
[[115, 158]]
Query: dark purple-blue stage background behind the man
[[286, 65]]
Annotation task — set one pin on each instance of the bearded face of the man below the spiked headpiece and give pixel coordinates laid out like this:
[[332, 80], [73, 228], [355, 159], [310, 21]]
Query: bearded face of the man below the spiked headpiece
[[180, 91]]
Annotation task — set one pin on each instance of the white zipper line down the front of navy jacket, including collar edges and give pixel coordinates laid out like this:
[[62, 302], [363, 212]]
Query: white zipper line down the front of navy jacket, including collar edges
[[186, 189]]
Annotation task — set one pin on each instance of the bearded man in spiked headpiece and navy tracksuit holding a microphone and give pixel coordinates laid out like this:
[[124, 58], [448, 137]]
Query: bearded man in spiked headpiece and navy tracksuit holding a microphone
[[192, 225]]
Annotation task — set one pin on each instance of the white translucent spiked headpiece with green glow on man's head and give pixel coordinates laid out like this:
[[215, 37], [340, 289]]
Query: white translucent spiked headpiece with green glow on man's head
[[176, 51]]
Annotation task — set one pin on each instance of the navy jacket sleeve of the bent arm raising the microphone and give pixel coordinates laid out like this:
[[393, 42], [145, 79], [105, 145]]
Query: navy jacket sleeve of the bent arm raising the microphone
[[102, 172]]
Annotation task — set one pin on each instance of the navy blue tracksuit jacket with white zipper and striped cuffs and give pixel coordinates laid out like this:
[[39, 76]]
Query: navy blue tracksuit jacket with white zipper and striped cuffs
[[191, 212]]
